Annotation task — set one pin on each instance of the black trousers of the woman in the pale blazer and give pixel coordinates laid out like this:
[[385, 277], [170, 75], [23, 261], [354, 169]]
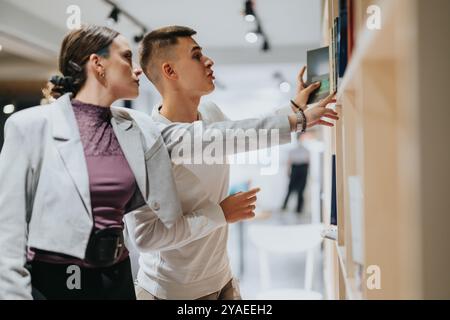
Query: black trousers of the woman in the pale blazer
[[68, 282]]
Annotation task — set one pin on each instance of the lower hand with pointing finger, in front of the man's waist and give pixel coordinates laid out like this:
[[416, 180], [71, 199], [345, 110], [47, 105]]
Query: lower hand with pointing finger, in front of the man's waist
[[239, 206]]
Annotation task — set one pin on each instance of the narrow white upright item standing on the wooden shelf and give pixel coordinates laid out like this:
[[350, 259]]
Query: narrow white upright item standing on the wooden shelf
[[356, 217]]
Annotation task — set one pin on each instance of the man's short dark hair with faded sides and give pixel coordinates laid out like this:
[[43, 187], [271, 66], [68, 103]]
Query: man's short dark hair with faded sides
[[158, 45]]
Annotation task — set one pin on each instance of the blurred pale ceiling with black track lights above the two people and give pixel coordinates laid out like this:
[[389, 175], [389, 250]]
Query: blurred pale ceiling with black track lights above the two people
[[33, 30]]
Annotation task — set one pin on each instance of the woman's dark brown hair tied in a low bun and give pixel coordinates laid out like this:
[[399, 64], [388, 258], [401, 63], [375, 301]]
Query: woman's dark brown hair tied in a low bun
[[76, 49]]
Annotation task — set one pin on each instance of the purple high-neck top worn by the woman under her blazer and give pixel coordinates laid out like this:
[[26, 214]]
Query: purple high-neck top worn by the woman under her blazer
[[111, 181]]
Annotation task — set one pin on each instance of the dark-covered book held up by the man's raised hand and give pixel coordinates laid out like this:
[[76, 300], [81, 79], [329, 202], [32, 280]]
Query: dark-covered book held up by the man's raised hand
[[318, 70]]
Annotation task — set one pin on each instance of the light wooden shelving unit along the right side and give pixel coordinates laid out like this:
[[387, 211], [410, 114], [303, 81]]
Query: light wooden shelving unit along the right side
[[392, 140]]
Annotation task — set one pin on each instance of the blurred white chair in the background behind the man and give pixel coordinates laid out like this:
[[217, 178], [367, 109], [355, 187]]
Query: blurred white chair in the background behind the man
[[290, 239]]
